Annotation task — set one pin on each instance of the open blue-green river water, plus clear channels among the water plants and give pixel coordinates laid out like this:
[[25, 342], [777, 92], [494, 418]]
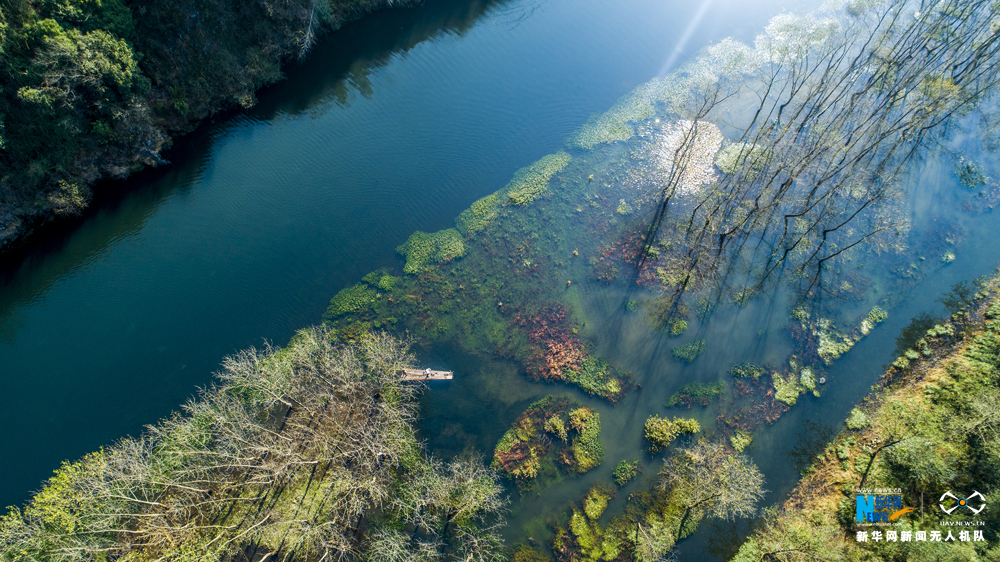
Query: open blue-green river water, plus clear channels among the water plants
[[394, 124]]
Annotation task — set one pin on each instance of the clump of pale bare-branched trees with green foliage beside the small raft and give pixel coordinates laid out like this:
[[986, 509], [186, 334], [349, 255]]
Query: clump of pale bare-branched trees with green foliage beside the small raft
[[290, 453]]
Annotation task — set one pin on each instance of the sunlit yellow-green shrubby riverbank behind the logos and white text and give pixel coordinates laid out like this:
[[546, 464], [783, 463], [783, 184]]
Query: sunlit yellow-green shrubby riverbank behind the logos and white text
[[927, 430]]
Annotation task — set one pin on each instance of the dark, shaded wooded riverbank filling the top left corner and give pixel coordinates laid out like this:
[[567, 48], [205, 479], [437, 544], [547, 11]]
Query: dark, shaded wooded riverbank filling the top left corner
[[100, 91]]
